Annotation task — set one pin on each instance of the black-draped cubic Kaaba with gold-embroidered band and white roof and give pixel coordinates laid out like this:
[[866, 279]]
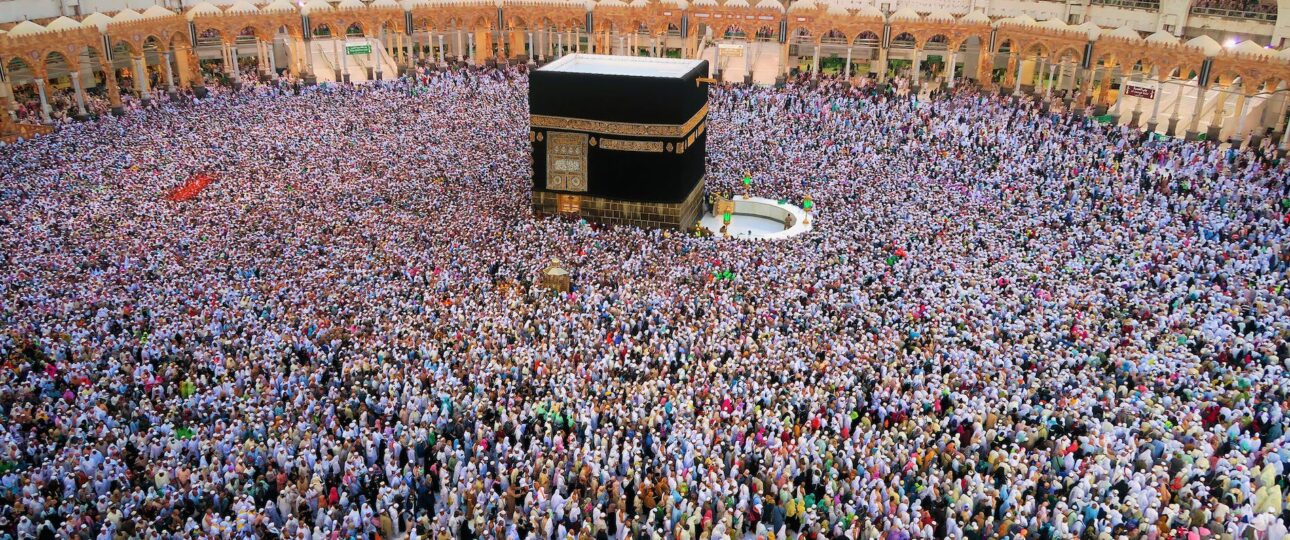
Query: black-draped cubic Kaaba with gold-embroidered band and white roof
[[620, 140]]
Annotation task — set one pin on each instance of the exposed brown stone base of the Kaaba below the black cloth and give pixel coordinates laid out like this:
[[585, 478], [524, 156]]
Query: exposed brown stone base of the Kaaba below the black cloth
[[677, 216]]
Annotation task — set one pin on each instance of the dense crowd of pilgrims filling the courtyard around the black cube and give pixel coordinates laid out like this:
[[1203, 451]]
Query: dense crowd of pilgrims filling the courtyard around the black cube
[[1006, 324]]
